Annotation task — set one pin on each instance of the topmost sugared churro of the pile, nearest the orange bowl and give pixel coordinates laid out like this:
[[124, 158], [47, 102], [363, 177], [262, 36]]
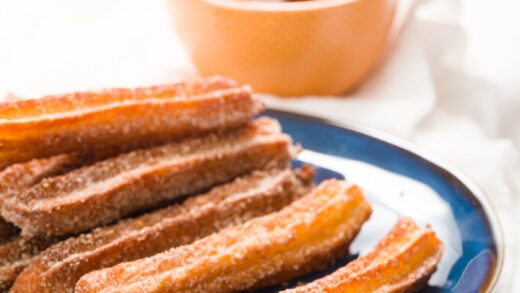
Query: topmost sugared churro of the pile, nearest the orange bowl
[[121, 118]]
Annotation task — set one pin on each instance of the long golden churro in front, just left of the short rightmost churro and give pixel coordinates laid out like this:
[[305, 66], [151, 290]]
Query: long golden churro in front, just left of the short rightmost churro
[[306, 235]]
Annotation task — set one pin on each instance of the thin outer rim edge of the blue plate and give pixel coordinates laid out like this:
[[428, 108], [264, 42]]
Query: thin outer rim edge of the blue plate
[[487, 205]]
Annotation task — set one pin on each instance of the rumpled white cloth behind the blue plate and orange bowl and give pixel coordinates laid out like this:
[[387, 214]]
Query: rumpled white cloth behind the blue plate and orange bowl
[[448, 85]]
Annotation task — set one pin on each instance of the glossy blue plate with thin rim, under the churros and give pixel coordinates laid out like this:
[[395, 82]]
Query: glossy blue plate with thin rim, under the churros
[[400, 181]]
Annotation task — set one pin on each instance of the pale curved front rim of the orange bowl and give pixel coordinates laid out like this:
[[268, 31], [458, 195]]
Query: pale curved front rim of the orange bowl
[[272, 6]]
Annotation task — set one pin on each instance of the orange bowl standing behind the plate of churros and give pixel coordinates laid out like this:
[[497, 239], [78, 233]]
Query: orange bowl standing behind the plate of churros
[[320, 47]]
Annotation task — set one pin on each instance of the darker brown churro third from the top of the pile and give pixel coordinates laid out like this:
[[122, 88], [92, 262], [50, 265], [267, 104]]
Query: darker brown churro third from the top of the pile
[[60, 267]]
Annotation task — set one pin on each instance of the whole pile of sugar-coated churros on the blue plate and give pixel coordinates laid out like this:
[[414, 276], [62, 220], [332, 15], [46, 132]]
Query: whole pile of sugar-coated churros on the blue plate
[[178, 188]]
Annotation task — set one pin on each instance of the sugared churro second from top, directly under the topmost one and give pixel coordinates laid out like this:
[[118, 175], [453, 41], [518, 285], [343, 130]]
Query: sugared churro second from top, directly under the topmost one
[[106, 191]]
